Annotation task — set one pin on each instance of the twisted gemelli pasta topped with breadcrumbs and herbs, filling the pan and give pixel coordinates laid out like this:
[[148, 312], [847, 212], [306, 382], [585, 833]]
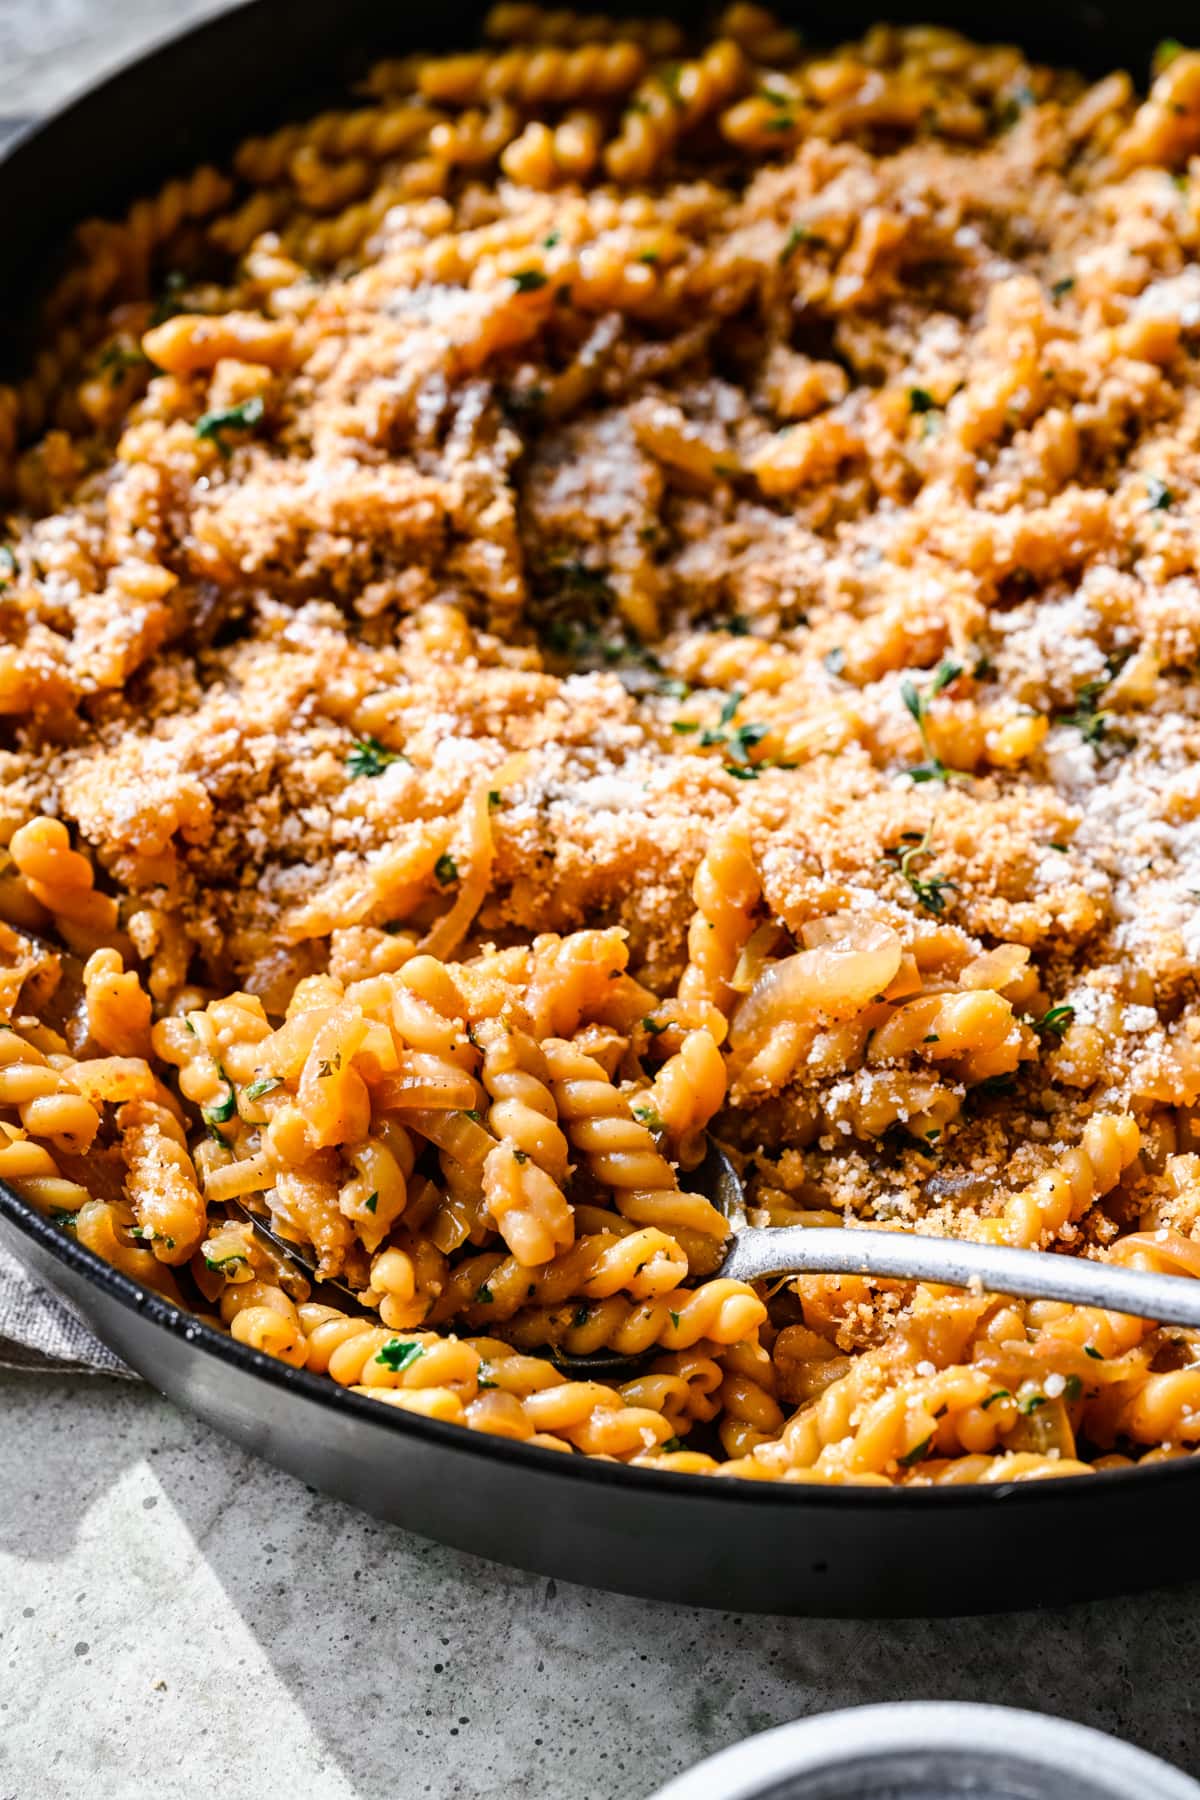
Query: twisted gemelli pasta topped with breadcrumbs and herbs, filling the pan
[[622, 586]]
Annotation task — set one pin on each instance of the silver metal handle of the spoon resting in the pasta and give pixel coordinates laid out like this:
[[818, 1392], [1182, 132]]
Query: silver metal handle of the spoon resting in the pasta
[[1034, 1275]]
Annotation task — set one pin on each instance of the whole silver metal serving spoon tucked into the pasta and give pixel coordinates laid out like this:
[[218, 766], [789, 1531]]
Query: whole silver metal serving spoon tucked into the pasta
[[762, 1254]]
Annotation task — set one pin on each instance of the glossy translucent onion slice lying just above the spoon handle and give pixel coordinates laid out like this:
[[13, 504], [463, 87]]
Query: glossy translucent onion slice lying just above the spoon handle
[[848, 962]]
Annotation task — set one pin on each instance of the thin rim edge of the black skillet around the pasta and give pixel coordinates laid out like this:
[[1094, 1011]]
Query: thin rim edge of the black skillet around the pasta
[[206, 1340]]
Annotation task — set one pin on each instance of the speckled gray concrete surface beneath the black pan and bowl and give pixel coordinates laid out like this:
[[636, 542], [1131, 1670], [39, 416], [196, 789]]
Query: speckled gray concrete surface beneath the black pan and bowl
[[181, 1621]]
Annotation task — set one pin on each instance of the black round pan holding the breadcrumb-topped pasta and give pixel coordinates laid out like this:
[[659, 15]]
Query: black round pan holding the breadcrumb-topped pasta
[[739, 1545]]
